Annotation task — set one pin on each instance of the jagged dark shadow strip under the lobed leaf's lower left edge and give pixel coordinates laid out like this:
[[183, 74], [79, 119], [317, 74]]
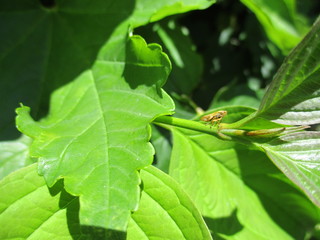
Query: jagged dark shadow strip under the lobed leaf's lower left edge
[[78, 231]]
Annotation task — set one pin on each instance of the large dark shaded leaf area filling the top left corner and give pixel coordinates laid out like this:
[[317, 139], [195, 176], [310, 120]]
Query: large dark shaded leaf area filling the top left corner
[[59, 43]]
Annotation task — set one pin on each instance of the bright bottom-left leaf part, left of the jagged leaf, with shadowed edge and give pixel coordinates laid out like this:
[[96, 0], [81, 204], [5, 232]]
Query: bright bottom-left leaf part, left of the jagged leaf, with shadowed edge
[[29, 210]]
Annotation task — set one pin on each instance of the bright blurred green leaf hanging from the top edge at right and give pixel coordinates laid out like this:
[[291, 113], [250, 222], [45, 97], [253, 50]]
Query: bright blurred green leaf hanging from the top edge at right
[[280, 21]]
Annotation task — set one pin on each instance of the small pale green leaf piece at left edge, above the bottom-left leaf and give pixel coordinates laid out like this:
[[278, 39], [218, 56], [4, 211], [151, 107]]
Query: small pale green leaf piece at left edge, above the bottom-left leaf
[[14, 155]]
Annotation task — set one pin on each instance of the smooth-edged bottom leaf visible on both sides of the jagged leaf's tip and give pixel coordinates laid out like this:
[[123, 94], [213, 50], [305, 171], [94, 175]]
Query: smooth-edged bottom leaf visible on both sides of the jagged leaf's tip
[[55, 213]]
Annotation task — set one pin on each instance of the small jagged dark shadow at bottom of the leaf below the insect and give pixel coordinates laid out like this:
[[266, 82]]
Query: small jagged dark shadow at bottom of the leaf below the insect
[[227, 226]]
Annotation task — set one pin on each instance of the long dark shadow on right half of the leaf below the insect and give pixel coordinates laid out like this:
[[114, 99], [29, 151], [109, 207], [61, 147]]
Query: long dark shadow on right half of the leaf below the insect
[[273, 189]]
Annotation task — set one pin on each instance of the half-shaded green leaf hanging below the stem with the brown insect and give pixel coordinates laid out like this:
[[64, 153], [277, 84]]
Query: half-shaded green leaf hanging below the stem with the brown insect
[[238, 190]]
